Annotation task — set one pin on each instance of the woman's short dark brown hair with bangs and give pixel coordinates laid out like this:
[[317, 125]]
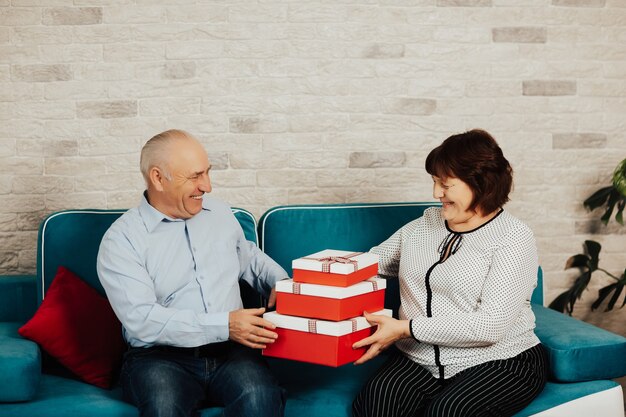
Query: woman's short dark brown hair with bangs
[[475, 158]]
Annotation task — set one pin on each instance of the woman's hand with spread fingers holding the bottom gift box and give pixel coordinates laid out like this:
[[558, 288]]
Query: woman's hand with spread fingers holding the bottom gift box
[[387, 332]]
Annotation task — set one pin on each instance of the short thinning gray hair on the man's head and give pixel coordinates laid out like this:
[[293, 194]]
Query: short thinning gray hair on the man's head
[[155, 152]]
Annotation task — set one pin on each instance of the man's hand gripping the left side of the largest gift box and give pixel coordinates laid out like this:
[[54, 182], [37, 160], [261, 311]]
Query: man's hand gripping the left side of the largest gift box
[[246, 326]]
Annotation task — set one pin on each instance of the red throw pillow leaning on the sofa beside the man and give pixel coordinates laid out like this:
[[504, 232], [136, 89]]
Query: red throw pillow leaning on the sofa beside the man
[[78, 328]]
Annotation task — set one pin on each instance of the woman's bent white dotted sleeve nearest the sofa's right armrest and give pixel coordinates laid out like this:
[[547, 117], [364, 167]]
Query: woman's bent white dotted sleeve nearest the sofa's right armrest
[[506, 292]]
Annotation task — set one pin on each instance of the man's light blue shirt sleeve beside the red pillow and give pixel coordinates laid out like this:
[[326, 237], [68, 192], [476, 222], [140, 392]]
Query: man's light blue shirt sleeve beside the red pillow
[[132, 296]]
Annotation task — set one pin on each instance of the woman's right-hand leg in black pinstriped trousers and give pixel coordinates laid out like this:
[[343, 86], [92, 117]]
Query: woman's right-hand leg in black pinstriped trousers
[[498, 388]]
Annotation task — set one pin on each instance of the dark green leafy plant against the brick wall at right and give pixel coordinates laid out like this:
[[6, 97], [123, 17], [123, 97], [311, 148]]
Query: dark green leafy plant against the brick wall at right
[[611, 197]]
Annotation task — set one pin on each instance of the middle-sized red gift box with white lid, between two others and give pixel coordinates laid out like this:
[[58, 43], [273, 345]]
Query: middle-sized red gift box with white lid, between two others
[[329, 303]]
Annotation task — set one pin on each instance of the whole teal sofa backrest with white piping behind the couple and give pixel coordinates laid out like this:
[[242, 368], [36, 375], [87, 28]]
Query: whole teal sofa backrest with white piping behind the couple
[[71, 238]]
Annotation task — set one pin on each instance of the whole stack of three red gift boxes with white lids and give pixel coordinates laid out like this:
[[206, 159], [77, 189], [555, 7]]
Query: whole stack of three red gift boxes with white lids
[[319, 313]]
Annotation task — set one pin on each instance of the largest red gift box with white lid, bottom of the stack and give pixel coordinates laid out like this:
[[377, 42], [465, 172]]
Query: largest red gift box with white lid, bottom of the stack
[[318, 341]]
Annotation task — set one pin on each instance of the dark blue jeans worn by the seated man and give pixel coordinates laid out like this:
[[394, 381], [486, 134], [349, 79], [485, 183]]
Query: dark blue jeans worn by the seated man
[[171, 384]]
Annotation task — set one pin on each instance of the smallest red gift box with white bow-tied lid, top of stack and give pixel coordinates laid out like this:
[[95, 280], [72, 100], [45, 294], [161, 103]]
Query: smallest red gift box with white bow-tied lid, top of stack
[[335, 267]]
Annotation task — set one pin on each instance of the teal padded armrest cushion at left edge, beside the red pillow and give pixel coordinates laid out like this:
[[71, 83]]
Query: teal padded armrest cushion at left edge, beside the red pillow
[[20, 361]]
